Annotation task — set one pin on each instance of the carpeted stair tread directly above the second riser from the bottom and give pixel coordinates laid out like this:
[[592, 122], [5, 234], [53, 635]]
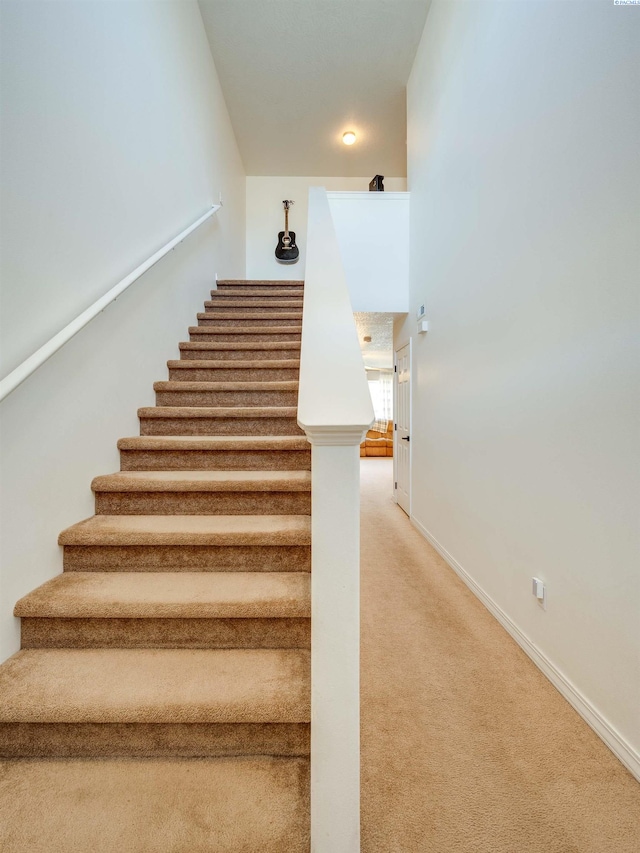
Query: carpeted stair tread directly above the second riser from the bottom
[[170, 595]]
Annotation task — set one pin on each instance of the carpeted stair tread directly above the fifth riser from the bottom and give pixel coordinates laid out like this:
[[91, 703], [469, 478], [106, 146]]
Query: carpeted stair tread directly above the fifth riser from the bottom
[[214, 442]]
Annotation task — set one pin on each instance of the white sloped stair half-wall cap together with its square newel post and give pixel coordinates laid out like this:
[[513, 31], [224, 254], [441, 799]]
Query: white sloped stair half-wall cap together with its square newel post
[[334, 410]]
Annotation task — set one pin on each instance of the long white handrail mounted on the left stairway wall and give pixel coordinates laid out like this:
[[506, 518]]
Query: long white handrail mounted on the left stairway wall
[[31, 364]]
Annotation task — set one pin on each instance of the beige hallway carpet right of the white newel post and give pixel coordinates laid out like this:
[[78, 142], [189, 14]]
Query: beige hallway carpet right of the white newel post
[[466, 747]]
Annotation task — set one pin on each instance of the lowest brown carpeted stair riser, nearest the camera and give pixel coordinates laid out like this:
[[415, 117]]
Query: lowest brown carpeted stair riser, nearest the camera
[[148, 740]]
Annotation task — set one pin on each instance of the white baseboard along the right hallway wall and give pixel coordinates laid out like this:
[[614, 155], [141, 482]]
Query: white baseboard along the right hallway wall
[[602, 727]]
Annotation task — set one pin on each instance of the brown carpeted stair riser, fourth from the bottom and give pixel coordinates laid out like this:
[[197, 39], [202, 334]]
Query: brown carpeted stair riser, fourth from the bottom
[[203, 503]]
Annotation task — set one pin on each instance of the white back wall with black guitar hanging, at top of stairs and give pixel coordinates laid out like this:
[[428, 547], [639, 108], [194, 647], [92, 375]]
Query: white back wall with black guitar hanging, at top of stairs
[[265, 218]]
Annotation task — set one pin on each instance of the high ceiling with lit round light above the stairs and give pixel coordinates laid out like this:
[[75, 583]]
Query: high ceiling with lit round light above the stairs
[[296, 74]]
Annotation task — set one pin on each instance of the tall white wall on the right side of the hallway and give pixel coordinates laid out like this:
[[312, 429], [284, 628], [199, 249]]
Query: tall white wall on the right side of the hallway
[[524, 179]]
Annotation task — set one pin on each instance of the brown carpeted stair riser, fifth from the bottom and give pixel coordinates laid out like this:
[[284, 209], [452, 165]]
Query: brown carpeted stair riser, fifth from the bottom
[[214, 460]]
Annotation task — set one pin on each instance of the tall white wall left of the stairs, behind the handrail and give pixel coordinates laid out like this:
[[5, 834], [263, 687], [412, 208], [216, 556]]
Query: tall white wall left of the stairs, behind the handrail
[[115, 137]]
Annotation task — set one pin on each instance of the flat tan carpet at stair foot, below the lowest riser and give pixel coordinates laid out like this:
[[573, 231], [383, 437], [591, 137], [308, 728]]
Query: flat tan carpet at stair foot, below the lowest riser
[[212, 805]]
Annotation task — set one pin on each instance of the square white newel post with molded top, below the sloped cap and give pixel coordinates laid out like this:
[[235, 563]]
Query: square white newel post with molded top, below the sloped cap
[[335, 641]]
